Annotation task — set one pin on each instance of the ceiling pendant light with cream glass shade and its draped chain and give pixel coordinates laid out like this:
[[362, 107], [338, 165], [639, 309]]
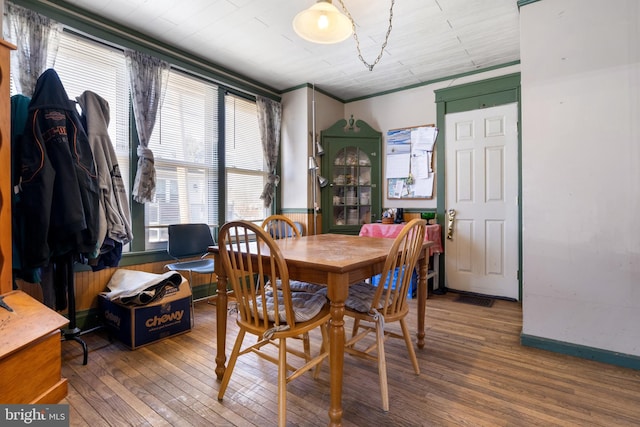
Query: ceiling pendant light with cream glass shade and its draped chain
[[323, 23]]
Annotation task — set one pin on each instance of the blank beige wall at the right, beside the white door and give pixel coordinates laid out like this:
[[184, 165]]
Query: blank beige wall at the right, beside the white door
[[581, 172]]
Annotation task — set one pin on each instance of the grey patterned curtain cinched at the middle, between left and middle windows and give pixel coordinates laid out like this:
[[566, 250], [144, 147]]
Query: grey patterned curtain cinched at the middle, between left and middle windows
[[146, 77]]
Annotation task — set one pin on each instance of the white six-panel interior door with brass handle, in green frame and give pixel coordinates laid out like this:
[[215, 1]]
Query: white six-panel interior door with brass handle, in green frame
[[481, 181]]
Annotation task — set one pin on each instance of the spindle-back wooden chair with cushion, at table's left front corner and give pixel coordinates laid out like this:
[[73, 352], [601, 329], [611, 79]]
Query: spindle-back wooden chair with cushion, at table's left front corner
[[251, 257]]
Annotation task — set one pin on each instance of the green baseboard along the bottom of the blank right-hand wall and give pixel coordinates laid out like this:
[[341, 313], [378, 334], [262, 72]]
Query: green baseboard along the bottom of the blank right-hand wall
[[584, 352]]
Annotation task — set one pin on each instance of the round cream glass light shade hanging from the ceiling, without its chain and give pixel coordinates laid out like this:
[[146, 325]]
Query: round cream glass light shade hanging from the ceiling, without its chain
[[322, 23]]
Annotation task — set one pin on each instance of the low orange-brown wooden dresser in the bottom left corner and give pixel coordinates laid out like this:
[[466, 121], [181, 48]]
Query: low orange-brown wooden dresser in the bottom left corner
[[30, 352]]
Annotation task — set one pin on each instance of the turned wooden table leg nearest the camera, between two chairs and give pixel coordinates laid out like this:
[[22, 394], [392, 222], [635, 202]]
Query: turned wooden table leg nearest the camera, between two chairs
[[337, 293]]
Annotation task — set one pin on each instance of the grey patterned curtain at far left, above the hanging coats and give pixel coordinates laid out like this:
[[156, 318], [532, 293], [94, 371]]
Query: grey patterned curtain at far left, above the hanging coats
[[34, 36]]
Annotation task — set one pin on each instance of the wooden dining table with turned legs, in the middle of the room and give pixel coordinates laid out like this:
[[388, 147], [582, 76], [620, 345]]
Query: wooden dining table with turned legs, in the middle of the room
[[334, 260]]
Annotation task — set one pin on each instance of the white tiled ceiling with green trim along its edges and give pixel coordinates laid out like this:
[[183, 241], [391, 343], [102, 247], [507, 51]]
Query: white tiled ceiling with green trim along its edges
[[430, 39]]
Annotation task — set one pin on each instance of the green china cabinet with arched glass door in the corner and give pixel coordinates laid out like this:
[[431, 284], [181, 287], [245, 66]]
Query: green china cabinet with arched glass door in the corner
[[352, 165]]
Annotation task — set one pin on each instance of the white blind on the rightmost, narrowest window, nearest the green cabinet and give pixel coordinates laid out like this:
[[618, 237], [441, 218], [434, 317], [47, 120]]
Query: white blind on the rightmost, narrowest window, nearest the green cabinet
[[246, 172]]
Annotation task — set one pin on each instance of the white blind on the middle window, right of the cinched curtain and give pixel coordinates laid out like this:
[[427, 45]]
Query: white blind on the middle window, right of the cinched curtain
[[184, 145]]
